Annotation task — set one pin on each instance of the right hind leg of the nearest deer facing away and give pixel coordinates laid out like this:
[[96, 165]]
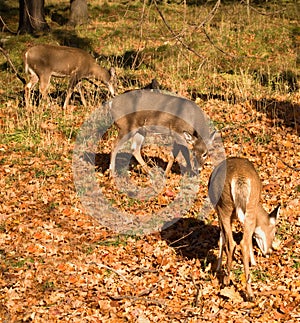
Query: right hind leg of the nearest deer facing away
[[247, 252]]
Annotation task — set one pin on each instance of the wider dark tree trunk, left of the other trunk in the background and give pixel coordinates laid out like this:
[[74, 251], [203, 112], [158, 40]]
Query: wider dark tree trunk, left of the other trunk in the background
[[32, 17]]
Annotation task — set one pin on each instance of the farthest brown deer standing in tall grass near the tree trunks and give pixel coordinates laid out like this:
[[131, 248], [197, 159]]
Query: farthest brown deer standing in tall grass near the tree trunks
[[44, 61]]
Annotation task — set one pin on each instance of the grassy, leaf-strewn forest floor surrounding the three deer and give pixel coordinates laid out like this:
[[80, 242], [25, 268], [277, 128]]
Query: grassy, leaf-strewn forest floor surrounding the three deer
[[61, 263]]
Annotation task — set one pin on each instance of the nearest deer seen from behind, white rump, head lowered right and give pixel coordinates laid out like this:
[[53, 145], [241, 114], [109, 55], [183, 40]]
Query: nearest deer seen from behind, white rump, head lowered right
[[235, 191]]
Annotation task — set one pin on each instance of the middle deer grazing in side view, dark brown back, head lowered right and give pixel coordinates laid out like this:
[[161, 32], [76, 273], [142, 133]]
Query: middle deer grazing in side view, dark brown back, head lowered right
[[138, 112]]
